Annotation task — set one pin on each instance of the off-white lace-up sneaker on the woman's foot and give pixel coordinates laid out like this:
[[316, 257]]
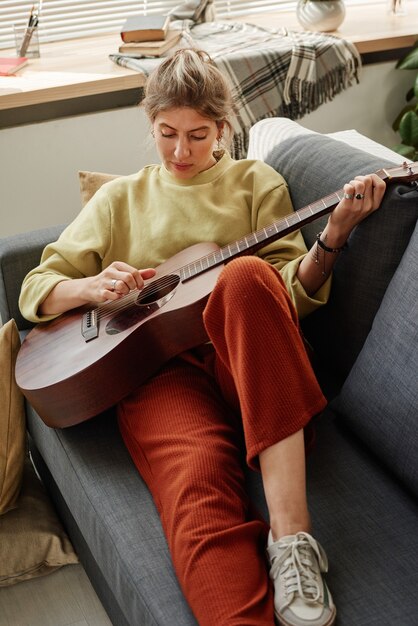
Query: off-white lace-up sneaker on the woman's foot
[[301, 596]]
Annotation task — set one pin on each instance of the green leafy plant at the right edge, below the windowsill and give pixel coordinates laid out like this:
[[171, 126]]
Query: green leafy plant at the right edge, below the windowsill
[[406, 122]]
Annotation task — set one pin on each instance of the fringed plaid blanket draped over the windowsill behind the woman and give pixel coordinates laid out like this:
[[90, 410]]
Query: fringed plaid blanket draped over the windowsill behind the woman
[[273, 73]]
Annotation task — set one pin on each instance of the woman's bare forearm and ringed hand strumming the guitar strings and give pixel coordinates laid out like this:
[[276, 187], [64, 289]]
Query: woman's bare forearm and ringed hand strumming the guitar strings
[[112, 283]]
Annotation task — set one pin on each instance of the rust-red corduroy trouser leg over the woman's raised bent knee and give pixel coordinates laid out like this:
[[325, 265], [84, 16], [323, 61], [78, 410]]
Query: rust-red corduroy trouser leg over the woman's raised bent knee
[[261, 362]]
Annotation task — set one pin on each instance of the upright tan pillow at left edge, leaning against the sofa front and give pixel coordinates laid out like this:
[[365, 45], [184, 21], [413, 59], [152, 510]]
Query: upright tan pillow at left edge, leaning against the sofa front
[[12, 420]]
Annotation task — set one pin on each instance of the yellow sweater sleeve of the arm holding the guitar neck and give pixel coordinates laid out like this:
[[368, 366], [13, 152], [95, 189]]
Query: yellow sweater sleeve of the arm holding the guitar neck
[[286, 253]]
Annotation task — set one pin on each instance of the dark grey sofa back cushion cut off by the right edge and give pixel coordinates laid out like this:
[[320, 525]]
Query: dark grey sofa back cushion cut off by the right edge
[[379, 399]]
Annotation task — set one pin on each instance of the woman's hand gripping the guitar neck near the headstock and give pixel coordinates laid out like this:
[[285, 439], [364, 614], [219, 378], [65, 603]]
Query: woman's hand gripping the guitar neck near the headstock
[[362, 196]]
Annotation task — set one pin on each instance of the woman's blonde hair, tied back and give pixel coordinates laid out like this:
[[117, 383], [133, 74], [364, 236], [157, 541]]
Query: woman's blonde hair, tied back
[[189, 78]]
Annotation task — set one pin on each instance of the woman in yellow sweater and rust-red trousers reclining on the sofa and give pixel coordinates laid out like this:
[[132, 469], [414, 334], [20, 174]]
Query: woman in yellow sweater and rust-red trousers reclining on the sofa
[[250, 389]]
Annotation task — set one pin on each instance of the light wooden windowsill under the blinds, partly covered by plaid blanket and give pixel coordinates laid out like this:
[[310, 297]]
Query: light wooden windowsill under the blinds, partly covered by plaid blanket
[[77, 76]]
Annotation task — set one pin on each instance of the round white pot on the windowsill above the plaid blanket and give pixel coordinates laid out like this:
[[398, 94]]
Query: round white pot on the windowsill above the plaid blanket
[[320, 15]]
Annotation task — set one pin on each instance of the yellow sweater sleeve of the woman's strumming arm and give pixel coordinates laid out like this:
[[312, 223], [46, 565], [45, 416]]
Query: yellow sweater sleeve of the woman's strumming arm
[[77, 253]]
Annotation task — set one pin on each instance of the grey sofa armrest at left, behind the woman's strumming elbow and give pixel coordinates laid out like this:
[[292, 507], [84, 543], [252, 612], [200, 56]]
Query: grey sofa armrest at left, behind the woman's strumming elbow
[[18, 255]]
